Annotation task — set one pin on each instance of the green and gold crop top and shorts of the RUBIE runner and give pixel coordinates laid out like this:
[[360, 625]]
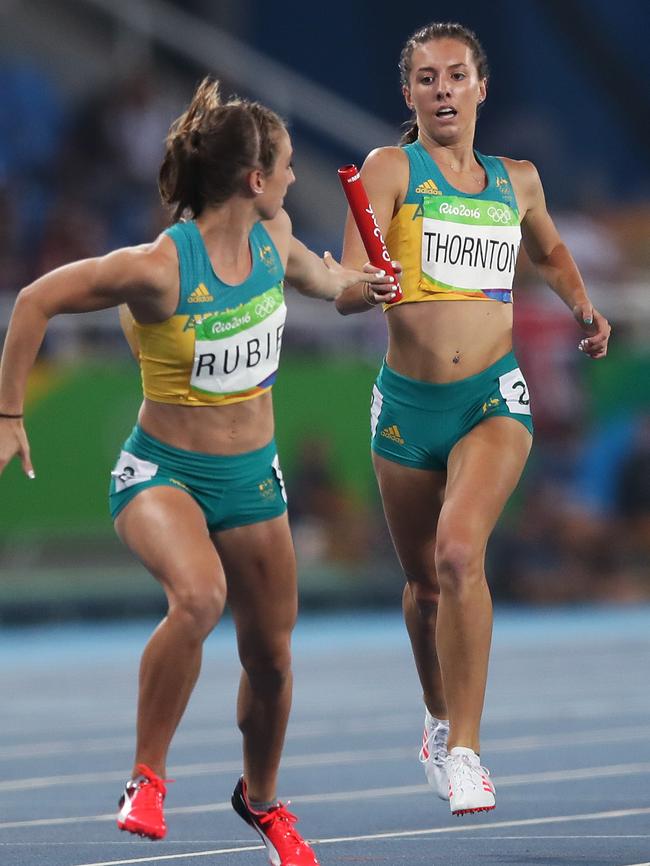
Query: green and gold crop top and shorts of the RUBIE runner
[[222, 345]]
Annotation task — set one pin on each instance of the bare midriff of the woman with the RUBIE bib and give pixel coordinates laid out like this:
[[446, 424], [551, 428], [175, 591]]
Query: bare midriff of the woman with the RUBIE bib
[[231, 429]]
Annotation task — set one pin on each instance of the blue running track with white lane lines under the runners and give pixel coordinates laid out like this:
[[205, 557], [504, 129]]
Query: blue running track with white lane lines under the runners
[[566, 736]]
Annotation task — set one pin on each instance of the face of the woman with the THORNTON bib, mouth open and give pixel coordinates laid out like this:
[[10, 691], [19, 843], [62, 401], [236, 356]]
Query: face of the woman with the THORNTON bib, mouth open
[[444, 89]]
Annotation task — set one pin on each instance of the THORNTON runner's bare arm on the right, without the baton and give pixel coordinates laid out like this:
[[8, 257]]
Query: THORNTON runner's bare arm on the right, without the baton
[[555, 263]]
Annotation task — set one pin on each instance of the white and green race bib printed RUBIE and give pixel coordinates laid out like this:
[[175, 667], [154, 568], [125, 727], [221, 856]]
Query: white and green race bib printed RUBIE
[[239, 349]]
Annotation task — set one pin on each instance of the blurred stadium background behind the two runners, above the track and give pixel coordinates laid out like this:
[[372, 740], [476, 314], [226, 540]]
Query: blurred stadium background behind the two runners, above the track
[[88, 89]]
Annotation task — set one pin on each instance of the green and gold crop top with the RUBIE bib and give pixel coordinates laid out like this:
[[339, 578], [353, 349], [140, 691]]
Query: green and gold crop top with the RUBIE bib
[[222, 344]]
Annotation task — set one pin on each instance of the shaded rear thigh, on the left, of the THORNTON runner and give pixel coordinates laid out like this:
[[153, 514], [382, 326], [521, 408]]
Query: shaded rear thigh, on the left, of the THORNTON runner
[[412, 499]]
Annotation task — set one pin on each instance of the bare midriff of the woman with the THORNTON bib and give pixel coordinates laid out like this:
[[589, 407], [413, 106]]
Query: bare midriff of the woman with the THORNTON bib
[[444, 341]]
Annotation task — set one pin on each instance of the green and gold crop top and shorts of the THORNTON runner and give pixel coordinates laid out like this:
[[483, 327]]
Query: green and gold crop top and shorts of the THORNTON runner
[[453, 246]]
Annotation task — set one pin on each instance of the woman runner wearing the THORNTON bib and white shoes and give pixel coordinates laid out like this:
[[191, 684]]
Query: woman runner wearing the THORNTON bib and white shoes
[[451, 417]]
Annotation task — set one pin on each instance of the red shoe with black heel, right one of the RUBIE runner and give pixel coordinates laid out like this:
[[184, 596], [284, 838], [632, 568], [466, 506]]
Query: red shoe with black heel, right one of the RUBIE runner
[[284, 845]]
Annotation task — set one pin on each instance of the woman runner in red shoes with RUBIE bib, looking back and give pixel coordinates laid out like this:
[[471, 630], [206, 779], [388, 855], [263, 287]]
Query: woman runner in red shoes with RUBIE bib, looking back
[[197, 491]]
